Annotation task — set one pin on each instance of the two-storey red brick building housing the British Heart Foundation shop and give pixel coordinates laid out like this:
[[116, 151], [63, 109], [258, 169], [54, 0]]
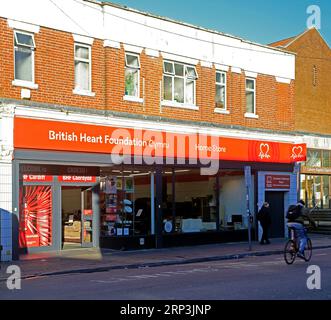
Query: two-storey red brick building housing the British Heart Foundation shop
[[109, 114]]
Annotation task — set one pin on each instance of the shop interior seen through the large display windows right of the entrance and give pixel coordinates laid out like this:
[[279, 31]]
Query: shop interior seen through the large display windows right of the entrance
[[191, 202]]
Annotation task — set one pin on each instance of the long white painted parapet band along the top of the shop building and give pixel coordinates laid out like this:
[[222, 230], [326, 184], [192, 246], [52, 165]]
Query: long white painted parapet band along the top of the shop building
[[147, 31]]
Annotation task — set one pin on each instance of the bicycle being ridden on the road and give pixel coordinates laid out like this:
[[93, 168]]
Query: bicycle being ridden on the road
[[292, 247]]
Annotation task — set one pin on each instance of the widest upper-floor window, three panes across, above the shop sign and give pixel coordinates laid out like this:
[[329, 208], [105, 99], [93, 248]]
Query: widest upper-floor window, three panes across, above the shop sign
[[179, 82]]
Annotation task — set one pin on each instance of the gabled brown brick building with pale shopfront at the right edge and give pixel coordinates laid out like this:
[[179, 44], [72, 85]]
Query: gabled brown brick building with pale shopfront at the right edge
[[312, 112]]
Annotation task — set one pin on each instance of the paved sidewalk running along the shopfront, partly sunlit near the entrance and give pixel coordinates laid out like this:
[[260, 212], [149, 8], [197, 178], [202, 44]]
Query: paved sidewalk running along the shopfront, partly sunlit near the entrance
[[98, 260]]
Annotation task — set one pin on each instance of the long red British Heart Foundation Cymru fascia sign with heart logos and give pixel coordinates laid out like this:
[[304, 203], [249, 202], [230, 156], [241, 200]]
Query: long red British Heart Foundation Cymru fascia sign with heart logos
[[78, 137]]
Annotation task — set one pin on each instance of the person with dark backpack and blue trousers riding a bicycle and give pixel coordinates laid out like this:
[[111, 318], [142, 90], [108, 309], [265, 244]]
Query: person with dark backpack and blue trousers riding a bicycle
[[298, 225]]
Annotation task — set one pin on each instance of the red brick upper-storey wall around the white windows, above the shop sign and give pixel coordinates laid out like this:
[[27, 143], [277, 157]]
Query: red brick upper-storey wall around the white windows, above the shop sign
[[54, 73]]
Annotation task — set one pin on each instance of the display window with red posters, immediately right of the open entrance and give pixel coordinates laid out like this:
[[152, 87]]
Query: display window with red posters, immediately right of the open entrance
[[125, 202]]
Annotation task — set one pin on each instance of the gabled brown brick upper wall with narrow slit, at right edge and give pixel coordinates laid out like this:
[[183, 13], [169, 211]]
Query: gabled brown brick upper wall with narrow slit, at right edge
[[313, 101]]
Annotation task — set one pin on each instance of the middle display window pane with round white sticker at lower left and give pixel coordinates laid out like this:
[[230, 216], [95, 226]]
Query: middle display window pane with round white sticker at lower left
[[189, 201]]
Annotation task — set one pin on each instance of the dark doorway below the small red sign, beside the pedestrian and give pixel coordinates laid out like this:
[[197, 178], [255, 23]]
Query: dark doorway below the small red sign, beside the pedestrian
[[276, 201]]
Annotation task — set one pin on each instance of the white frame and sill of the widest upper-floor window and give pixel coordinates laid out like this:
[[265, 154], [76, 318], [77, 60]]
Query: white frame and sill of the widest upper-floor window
[[173, 75]]
